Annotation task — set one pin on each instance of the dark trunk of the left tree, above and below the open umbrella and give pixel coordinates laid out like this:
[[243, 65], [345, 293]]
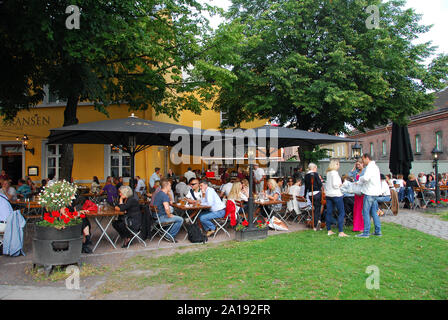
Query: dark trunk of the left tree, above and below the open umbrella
[[66, 160]]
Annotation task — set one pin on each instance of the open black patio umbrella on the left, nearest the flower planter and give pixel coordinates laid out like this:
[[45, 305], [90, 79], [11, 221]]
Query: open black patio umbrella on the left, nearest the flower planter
[[131, 134]]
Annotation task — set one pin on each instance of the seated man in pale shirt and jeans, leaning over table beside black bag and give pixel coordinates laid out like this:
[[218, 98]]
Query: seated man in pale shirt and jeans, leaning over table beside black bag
[[217, 210]]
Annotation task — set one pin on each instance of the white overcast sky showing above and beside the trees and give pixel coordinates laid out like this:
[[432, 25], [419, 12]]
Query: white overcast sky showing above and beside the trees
[[434, 12]]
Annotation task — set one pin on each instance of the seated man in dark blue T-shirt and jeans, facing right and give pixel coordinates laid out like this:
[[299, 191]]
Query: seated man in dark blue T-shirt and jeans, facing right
[[162, 203]]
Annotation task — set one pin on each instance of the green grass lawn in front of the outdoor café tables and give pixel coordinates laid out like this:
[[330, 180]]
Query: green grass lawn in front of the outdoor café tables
[[304, 265]]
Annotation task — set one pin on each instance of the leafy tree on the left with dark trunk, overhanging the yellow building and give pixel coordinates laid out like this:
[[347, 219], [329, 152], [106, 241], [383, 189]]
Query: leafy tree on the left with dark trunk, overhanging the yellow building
[[125, 51]]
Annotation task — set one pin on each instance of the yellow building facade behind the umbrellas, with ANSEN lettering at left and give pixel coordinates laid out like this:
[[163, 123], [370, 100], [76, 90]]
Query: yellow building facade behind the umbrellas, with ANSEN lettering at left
[[42, 159]]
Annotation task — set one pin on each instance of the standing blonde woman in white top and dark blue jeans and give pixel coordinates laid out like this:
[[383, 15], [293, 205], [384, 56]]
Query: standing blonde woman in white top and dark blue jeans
[[334, 198]]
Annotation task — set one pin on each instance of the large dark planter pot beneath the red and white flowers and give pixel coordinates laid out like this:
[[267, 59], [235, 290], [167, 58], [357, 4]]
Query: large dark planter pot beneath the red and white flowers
[[53, 247]]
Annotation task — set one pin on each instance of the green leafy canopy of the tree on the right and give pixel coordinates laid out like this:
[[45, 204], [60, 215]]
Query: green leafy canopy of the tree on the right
[[315, 65]]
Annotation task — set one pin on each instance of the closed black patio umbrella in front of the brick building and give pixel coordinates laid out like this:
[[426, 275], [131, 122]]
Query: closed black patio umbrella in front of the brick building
[[401, 156]]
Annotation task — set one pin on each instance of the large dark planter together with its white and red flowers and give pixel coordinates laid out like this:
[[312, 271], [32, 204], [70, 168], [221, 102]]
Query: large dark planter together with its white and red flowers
[[57, 238]]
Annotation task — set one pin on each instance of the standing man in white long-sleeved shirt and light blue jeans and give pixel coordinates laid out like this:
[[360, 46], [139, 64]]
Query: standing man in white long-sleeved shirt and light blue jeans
[[371, 188]]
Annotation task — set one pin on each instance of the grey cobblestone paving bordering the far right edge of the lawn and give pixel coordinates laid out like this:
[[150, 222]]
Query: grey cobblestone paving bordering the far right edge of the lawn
[[420, 221]]
